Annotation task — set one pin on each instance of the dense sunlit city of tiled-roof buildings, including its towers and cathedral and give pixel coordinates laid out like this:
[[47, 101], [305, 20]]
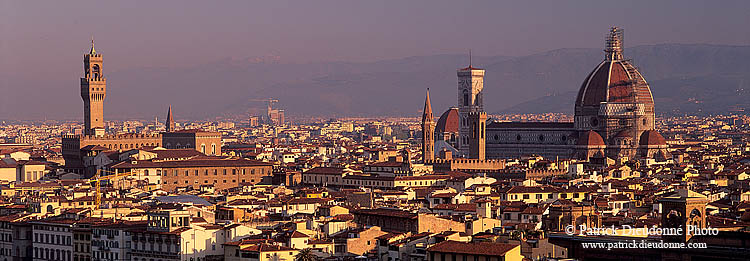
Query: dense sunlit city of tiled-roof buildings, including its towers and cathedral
[[470, 185]]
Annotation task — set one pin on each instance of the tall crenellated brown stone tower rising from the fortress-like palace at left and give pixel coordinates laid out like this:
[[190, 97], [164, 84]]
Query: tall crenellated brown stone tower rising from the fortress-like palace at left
[[93, 92]]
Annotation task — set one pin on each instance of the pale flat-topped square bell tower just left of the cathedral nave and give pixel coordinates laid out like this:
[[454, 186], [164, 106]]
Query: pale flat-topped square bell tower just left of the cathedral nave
[[470, 86]]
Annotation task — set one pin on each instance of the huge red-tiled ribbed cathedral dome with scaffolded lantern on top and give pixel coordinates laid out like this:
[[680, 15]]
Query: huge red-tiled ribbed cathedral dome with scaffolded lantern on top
[[615, 79]]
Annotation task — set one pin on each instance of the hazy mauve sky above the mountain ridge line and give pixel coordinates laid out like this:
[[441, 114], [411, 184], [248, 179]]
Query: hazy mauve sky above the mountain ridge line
[[47, 38]]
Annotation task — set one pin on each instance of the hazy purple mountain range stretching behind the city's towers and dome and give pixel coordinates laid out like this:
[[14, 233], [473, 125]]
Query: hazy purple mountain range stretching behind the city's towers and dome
[[685, 78]]
